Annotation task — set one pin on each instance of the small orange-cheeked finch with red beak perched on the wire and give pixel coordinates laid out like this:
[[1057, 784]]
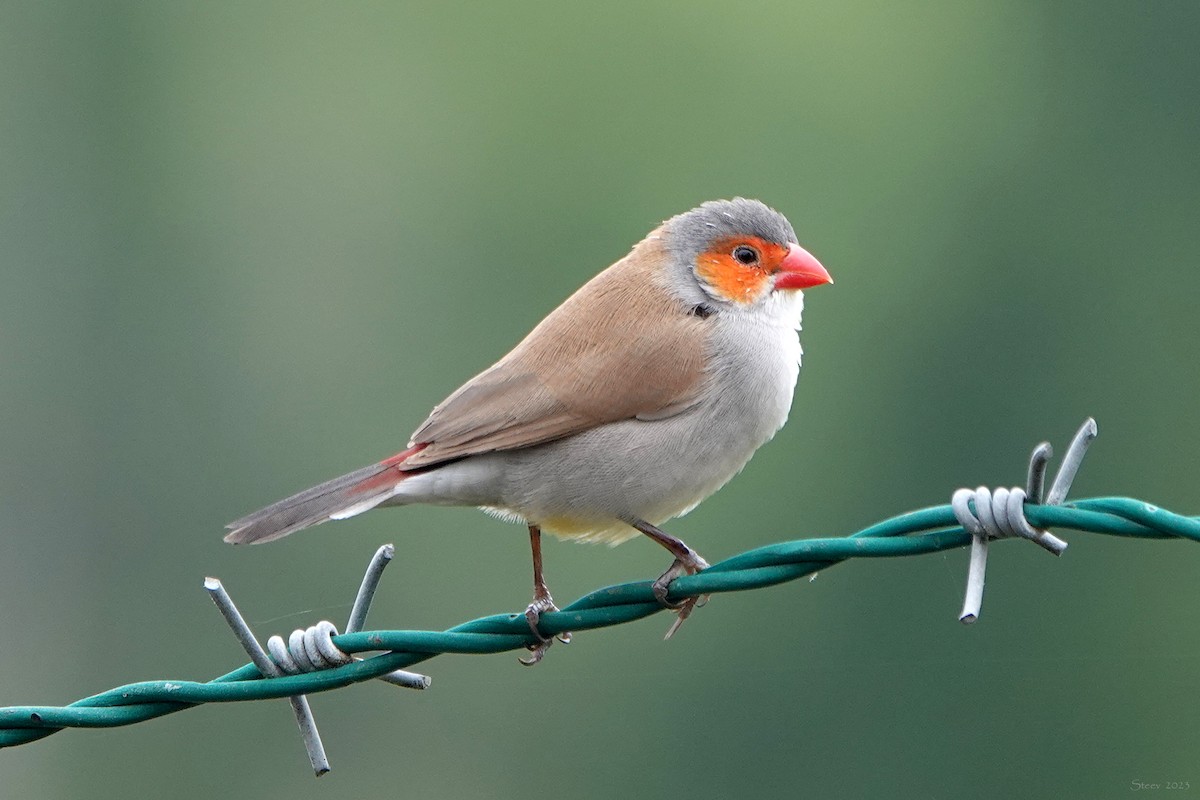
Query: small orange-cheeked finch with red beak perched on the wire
[[635, 400]]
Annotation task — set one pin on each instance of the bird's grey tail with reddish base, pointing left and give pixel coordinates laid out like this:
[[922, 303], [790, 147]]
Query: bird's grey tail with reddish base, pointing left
[[338, 500]]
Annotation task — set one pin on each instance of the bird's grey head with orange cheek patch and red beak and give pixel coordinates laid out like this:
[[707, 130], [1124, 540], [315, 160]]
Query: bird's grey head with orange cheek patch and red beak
[[741, 252]]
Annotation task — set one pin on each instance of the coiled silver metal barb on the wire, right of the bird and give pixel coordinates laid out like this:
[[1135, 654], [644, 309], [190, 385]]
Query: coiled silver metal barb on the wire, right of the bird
[[988, 515]]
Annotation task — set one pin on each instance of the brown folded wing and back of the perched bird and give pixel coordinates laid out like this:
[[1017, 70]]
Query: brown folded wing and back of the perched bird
[[621, 347]]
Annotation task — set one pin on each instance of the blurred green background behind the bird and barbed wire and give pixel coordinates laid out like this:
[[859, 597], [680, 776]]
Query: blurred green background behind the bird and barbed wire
[[245, 248]]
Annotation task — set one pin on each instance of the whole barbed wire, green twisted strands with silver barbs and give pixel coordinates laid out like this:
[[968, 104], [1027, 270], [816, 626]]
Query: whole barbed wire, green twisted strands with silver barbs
[[321, 660]]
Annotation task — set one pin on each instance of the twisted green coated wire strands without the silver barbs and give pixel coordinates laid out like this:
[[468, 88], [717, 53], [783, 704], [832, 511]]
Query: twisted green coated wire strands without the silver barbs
[[928, 531]]
